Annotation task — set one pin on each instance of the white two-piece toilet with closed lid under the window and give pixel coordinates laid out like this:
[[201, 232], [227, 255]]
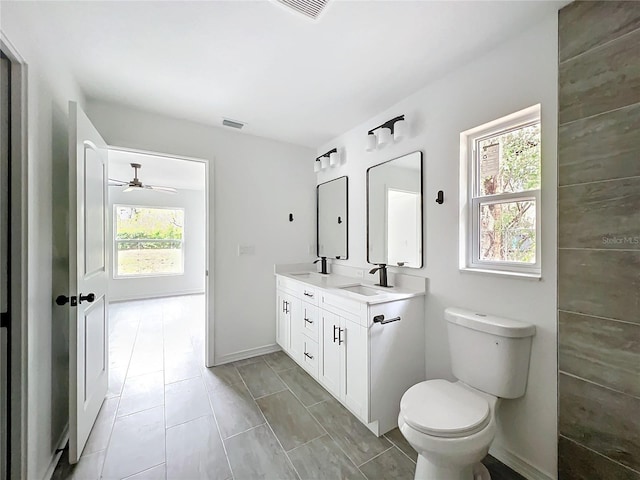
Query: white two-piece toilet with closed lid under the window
[[452, 425]]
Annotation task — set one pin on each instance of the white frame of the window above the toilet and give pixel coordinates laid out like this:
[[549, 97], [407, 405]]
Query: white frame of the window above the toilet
[[470, 190]]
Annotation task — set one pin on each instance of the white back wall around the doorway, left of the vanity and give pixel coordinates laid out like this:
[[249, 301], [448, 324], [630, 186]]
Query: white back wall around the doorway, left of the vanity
[[256, 184]]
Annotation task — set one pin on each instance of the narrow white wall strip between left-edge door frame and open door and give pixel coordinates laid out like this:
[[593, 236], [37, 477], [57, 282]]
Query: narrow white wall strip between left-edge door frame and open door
[[49, 90]]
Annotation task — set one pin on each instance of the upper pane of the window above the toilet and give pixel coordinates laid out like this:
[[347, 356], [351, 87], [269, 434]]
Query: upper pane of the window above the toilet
[[509, 162]]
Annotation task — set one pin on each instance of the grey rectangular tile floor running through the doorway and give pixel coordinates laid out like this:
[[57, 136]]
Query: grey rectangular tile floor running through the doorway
[[167, 416]]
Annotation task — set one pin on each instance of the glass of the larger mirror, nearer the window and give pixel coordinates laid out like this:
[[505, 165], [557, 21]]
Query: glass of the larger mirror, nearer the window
[[394, 212]]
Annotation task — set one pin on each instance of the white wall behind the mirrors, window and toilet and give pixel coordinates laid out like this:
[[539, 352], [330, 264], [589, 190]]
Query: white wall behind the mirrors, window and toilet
[[520, 73]]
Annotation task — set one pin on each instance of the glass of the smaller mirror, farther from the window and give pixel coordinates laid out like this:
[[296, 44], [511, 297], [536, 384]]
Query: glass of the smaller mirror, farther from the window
[[333, 221]]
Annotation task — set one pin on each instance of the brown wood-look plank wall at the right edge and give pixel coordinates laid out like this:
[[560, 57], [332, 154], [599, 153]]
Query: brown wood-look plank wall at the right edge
[[599, 241]]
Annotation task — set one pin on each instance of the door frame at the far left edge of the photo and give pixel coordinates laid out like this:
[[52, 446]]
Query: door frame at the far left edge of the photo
[[18, 159]]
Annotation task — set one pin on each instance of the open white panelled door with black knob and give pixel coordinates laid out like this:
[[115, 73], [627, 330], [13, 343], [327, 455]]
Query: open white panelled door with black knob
[[88, 273]]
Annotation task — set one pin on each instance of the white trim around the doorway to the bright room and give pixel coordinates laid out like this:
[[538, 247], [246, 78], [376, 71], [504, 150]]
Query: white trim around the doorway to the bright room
[[209, 334]]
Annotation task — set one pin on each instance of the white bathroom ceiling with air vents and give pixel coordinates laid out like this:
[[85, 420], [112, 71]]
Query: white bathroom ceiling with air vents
[[288, 77]]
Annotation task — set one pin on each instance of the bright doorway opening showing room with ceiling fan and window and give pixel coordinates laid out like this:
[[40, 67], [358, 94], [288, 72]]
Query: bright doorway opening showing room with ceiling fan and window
[[159, 324]]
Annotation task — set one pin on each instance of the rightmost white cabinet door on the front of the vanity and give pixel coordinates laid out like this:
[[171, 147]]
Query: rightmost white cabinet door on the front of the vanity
[[353, 340]]
